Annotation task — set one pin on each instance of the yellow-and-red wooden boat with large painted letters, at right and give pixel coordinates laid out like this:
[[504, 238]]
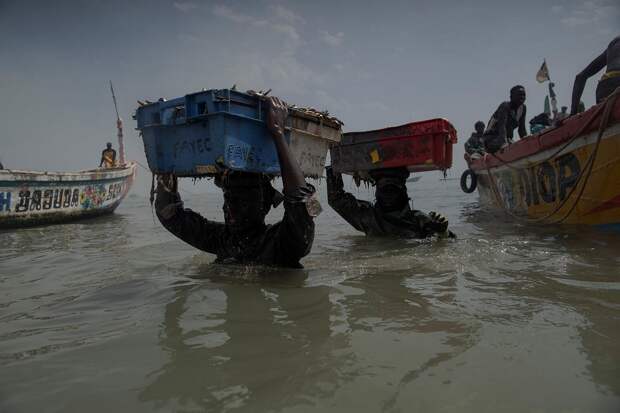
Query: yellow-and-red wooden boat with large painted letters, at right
[[567, 174]]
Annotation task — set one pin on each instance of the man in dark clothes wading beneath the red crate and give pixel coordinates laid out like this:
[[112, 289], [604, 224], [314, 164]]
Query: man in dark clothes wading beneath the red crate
[[391, 214]]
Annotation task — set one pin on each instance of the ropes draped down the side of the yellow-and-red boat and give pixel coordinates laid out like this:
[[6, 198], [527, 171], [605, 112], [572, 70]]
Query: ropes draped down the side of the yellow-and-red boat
[[606, 109]]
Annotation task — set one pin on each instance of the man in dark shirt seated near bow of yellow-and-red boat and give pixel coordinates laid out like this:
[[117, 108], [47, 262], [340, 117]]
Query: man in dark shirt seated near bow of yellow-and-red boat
[[508, 116]]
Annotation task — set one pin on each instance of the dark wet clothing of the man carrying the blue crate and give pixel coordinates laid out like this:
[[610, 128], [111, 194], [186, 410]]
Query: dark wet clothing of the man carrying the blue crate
[[282, 244]]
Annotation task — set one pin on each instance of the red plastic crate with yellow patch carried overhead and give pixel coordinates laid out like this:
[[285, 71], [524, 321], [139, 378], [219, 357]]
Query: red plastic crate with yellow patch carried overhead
[[417, 146]]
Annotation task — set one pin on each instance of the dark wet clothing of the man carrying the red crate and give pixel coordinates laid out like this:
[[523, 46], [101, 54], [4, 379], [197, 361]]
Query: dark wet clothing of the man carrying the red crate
[[369, 219]]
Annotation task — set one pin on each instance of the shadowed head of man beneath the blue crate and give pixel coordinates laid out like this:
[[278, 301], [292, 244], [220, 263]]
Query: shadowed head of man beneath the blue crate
[[248, 197]]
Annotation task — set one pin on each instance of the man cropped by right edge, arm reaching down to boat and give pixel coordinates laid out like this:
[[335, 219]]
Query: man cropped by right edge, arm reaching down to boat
[[610, 80]]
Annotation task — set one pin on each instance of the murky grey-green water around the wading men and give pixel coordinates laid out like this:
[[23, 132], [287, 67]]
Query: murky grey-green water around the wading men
[[115, 314]]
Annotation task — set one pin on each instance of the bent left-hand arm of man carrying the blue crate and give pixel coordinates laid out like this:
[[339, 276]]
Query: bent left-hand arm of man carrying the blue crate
[[185, 223]]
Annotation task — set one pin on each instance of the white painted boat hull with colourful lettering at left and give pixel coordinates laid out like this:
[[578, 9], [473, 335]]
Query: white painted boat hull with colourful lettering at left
[[29, 198]]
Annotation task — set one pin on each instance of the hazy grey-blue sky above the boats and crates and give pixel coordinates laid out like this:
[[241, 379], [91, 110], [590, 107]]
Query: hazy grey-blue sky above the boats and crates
[[371, 63]]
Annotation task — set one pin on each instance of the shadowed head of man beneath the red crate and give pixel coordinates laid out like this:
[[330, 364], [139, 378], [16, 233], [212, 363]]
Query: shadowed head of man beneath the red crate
[[391, 188]]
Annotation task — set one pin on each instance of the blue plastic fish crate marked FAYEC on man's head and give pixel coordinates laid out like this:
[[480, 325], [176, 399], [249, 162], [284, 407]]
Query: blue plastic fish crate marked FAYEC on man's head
[[206, 131]]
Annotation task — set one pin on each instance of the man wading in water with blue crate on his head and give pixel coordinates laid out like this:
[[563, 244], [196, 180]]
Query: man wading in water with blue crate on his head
[[244, 237]]
